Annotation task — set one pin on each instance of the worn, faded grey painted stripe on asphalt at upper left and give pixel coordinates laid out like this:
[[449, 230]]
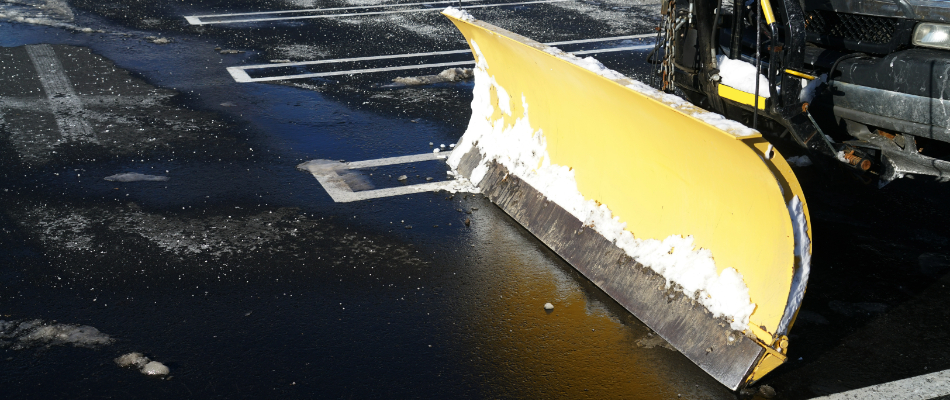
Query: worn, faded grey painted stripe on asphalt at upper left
[[64, 103]]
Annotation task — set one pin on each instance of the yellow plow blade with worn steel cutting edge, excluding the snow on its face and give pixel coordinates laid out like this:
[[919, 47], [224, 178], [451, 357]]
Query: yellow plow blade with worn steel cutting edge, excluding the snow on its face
[[660, 168]]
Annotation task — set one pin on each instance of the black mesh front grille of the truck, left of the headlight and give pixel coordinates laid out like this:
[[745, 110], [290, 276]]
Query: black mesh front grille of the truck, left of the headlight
[[859, 28]]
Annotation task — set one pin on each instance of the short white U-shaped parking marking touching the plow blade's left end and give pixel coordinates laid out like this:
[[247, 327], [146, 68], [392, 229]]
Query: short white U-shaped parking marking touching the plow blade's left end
[[330, 175]]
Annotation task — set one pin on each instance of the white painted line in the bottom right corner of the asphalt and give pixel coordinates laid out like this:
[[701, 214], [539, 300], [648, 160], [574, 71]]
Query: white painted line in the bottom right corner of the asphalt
[[922, 387]]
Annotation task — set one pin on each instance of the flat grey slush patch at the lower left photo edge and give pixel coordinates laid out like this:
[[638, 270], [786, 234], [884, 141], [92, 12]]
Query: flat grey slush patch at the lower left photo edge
[[24, 334]]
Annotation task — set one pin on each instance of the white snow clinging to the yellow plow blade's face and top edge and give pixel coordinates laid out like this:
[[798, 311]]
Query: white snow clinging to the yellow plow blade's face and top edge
[[524, 153]]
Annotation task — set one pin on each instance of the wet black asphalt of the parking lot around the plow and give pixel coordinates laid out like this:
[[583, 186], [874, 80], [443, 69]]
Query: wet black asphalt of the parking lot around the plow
[[242, 275]]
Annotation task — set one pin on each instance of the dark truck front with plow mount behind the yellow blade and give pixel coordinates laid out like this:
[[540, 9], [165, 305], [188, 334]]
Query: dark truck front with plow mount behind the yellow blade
[[863, 82]]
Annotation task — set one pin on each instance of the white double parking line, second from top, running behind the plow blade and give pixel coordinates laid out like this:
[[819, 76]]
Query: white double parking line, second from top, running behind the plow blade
[[240, 73]]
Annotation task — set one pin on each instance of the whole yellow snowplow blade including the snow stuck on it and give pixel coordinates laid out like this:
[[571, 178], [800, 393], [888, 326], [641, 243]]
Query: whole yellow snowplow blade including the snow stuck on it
[[693, 223]]
